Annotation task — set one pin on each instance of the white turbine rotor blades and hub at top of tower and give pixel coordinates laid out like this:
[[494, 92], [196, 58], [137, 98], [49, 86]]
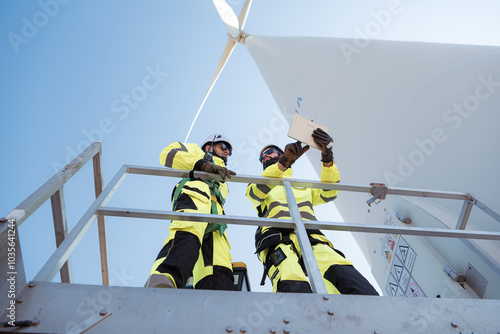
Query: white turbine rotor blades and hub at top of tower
[[234, 26]]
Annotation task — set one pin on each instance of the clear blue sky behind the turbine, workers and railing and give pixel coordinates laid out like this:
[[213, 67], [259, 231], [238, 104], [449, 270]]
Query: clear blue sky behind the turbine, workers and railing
[[132, 75]]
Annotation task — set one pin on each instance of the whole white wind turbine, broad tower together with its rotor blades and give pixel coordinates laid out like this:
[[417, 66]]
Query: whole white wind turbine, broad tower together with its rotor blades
[[407, 114]]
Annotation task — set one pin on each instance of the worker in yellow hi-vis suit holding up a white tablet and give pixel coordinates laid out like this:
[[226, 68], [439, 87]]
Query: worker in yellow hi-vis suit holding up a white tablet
[[278, 248]]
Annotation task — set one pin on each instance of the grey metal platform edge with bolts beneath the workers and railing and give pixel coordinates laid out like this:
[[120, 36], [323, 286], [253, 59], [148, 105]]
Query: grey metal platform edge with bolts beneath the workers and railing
[[72, 308]]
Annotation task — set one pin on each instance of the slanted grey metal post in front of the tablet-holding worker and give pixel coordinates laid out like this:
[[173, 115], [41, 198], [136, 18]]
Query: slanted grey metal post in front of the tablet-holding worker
[[317, 284]]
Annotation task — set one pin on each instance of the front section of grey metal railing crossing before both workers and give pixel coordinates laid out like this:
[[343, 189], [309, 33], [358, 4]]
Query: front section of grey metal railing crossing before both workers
[[97, 209]]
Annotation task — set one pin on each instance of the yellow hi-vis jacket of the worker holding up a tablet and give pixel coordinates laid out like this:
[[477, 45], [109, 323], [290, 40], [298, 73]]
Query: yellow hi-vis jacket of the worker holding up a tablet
[[270, 202]]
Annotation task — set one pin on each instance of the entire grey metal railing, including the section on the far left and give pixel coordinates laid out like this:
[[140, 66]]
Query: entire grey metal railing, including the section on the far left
[[98, 210]]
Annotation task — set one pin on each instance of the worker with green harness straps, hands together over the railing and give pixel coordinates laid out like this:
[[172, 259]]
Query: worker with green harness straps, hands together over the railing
[[192, 247]]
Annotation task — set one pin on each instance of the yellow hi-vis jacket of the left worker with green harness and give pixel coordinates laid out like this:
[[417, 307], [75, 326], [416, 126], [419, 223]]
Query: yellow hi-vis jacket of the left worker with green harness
[[184, 156]]
